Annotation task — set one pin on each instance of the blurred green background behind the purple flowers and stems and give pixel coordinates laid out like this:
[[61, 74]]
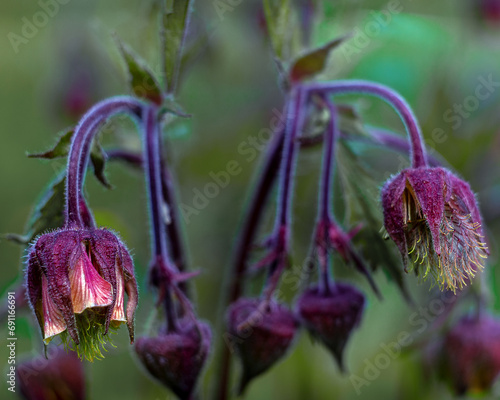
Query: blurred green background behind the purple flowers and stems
[[434, 53]]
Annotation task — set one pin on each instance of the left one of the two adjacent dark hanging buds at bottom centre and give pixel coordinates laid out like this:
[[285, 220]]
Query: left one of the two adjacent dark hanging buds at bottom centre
[[262, 333]]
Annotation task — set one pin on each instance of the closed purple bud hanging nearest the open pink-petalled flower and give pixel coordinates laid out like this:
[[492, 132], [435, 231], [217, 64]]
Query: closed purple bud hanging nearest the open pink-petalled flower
[[176, 358]]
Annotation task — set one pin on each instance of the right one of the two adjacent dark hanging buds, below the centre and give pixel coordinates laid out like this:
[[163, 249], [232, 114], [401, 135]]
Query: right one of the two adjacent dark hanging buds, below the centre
[[331, 316]]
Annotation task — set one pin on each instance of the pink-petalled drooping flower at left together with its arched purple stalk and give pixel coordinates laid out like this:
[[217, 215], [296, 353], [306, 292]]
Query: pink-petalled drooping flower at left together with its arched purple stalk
[[77, 275]]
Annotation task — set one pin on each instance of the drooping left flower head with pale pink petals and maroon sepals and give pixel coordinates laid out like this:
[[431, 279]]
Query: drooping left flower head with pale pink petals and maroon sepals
[[76, 281]]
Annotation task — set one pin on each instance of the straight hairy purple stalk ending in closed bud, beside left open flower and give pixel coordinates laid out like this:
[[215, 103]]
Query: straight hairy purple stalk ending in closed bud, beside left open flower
[[176, 356]]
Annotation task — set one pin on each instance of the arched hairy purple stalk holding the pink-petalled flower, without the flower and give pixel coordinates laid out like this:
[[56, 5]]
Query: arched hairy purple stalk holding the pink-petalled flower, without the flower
[[79, 152]]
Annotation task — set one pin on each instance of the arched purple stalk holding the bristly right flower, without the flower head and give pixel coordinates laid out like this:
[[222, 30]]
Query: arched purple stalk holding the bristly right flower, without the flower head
[[418, 154]]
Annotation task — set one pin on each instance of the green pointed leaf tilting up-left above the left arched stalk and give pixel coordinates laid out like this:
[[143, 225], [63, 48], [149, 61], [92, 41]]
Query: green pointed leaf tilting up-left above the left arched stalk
[[141, 80]]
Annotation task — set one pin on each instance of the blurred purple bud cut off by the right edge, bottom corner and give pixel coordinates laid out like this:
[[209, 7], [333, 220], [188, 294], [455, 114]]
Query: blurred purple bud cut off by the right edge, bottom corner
[[471, 354]]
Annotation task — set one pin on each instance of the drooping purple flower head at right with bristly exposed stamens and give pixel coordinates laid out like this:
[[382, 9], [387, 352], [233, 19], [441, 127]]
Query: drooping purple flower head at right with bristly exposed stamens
[[433, 218]]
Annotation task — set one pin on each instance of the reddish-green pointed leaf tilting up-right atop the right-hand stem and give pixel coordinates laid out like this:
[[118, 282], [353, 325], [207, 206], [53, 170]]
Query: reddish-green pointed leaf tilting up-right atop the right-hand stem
[[313, 62]]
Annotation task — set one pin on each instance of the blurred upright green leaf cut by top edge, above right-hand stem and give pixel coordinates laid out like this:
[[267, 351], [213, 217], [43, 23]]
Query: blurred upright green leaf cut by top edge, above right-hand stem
[[277, 13]]
